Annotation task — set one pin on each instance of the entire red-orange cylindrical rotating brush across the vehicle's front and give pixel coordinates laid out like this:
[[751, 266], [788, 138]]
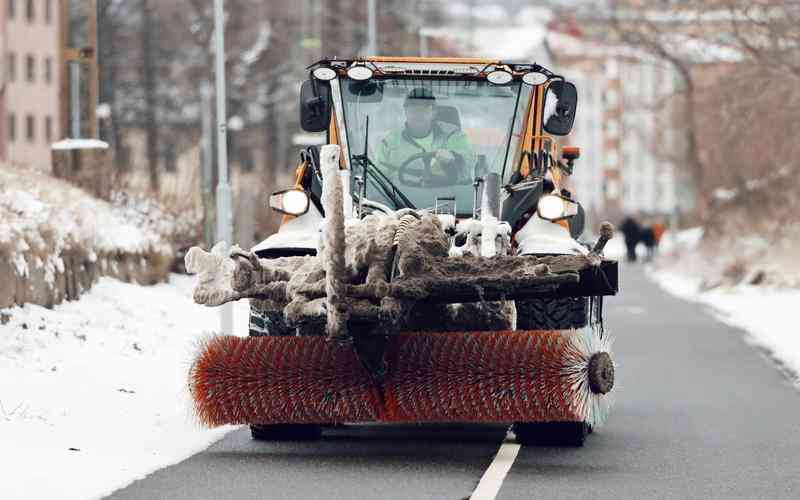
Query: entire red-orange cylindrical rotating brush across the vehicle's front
[[522, 376]]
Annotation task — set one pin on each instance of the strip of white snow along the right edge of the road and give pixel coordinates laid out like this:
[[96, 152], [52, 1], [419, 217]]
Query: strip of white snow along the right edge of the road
[[767, 314]]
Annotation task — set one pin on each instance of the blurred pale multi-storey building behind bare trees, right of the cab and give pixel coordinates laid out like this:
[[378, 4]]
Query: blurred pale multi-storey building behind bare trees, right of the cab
[[623, 126]]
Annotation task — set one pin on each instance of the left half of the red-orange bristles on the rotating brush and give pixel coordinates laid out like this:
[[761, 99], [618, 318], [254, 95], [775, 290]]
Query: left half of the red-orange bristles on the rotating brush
[[249, 380]]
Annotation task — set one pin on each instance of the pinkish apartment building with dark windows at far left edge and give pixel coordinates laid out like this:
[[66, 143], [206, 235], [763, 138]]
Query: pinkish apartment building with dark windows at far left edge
[[29, 99]]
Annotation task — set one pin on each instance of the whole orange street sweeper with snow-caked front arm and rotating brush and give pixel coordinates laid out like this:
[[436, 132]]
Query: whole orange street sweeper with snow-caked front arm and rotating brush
[[429, 267]]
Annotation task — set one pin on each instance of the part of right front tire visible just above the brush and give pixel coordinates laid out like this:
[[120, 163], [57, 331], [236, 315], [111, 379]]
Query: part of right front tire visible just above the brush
[[552, 314]]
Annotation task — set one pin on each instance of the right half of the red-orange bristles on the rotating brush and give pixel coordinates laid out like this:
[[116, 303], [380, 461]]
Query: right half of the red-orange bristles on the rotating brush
[[479, 377]]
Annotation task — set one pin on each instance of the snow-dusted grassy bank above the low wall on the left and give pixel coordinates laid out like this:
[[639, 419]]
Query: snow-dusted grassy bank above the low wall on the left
[[45, 219]]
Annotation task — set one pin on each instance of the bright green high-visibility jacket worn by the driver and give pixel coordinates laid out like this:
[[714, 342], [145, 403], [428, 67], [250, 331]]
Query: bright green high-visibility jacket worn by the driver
[[399, 146]]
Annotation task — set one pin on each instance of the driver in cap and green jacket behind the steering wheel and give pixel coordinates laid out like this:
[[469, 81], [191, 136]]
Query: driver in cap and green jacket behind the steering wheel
[[422, 133]]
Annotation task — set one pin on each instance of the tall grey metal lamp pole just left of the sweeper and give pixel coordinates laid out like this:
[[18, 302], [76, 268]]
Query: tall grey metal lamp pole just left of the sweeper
[[224, 212]]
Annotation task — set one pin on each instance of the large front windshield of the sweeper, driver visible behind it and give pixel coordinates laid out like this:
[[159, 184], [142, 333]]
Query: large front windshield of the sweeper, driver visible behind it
[[431, 138]]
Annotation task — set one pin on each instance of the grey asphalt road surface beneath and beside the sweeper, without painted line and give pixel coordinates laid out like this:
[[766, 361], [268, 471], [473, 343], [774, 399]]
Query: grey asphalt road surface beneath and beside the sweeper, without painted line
[[699, 414]]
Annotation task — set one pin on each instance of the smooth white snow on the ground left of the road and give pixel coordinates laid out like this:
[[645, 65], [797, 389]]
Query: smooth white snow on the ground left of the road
[[94, 392]]
